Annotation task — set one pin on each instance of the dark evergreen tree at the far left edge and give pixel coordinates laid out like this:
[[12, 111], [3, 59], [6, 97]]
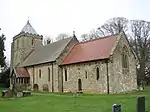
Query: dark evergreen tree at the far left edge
[[2, 49]]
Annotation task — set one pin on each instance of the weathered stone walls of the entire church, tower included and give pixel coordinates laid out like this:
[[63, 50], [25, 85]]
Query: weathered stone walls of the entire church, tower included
[[112, 77]]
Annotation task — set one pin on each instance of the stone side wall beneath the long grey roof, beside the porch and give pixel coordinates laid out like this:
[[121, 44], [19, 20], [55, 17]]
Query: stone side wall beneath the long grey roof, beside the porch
[[43, 80]]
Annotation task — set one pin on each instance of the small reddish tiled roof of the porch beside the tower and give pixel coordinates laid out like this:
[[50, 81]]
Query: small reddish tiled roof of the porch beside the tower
[[21, 72]]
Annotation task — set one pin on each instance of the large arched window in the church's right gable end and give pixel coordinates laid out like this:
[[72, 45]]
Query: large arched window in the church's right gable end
[[125, 61]]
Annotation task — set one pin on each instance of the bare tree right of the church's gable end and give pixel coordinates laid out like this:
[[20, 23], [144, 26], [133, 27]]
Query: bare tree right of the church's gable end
[[140, 41]]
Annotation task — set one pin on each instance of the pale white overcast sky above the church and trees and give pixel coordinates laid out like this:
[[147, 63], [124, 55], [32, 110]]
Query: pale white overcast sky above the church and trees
[[51, 17]]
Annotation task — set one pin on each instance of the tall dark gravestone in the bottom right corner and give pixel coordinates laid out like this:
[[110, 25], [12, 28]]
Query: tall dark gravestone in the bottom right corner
[[140, 106]]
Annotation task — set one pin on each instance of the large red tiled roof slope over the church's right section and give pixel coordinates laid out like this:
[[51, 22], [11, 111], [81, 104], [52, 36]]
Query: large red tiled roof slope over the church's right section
[[92, 50]]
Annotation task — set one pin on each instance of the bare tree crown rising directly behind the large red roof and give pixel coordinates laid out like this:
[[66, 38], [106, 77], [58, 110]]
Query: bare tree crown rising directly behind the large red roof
[[112, 26]]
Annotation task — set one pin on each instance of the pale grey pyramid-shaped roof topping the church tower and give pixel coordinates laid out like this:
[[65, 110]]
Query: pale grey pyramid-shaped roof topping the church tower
[[29, 29]]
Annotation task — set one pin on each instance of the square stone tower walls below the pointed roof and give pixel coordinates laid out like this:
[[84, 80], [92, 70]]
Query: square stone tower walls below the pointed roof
[[22, 47]]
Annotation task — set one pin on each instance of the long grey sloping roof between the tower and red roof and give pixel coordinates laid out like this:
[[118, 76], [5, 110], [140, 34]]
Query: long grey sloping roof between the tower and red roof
[[48, 53]]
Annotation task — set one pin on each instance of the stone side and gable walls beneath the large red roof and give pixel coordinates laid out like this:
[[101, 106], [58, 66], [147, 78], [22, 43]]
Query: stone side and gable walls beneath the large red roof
[[118, 82]]
